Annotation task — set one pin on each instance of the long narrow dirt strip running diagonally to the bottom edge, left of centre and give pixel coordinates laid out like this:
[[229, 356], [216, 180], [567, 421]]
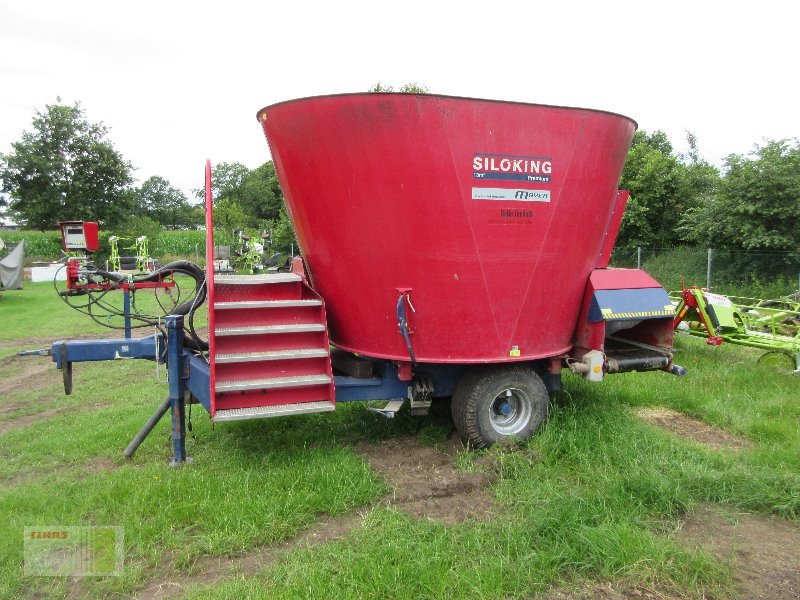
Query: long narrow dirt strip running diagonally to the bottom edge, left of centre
[[210, 570]]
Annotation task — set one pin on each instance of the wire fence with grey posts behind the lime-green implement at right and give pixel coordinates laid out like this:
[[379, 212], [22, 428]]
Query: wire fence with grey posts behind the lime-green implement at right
[[750, 274]]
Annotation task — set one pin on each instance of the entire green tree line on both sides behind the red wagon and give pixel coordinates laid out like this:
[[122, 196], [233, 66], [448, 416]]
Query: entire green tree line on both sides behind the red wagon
[[66, 168]]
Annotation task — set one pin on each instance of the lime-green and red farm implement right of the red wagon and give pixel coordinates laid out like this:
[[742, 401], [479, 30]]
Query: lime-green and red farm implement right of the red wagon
[[770, 325]]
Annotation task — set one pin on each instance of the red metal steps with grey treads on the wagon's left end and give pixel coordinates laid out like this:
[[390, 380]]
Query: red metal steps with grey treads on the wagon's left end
[[271, 354]]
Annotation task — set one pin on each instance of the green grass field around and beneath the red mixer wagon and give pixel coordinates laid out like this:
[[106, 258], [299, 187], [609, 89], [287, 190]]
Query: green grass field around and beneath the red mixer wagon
[[311, 507]]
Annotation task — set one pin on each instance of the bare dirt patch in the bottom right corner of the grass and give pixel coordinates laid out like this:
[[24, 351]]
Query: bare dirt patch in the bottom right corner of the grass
[[762, 551]]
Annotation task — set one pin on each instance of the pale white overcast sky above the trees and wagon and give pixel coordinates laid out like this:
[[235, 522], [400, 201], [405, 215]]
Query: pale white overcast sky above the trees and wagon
[[179, 82]]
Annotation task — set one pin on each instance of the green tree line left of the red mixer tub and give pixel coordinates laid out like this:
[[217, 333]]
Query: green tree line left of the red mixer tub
[[66, 168]]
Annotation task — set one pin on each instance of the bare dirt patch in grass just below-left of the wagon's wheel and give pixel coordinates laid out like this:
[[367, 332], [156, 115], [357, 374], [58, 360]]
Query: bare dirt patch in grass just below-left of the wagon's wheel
[[426, 482]]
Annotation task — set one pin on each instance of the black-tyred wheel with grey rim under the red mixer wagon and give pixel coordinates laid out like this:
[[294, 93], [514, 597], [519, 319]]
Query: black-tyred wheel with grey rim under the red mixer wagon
[[499, 403]]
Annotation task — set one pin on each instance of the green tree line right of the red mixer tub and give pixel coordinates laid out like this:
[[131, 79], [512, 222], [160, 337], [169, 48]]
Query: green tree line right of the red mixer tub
[[752, 203]]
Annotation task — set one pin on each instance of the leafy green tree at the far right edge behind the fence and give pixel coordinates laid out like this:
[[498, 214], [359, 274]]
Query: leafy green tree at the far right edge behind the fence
[[757, 206]]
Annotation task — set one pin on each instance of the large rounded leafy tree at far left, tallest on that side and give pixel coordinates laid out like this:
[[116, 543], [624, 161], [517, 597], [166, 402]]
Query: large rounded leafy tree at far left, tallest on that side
[[65, 168]]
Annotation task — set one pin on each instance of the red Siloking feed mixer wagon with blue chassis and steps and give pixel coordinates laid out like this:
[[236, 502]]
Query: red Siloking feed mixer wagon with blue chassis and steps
[[451, 247]]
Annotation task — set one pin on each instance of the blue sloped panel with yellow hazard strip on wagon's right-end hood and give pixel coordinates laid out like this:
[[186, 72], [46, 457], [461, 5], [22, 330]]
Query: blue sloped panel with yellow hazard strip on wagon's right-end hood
[[644, 303]]
